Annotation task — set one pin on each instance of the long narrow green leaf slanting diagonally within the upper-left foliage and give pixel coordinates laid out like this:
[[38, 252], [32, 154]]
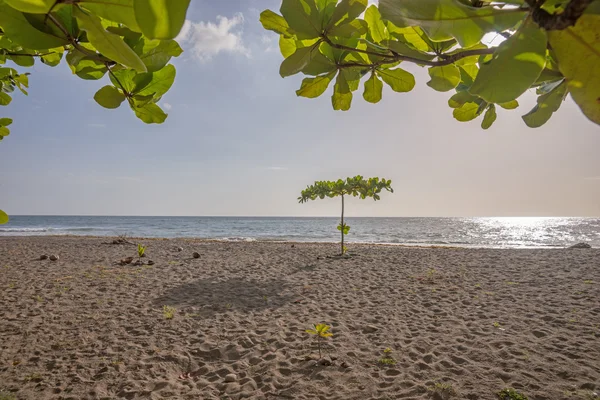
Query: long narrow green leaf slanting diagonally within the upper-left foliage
[[109, 44]]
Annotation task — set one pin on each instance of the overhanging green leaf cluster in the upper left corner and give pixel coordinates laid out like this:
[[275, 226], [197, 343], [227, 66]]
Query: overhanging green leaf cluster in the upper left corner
[[130, 40]]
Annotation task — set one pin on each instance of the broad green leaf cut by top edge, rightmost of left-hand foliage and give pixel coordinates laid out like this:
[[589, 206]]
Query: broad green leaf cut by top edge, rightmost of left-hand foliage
[[160, 19]]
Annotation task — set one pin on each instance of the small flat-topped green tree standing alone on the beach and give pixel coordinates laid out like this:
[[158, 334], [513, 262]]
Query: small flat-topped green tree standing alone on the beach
[[356, 186]]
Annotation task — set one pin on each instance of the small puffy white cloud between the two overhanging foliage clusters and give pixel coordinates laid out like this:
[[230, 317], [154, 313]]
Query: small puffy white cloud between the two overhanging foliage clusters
[[207, 39]]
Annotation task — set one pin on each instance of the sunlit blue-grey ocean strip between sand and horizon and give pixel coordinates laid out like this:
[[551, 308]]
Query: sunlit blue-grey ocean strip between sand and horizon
[[527, 232]]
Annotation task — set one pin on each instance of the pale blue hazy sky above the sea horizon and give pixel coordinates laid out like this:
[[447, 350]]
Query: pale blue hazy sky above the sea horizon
[[239, 142]]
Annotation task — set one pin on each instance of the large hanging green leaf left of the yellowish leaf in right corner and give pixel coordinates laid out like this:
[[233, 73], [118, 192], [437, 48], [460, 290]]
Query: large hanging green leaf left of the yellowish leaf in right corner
[[514, 67]]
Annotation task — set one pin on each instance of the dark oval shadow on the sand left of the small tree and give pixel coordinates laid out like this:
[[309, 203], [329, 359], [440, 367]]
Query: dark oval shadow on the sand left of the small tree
[[211, 296]]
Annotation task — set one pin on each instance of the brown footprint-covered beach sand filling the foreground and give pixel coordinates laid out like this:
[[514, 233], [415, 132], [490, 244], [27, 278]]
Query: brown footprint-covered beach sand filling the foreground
[[478, 320]]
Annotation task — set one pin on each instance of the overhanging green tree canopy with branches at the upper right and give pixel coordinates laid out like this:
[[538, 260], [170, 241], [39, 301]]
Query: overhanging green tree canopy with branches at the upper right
[[551, 46]]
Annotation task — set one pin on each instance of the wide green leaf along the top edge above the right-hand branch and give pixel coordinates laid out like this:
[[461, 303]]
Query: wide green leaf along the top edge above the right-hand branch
[[446, 19]]
